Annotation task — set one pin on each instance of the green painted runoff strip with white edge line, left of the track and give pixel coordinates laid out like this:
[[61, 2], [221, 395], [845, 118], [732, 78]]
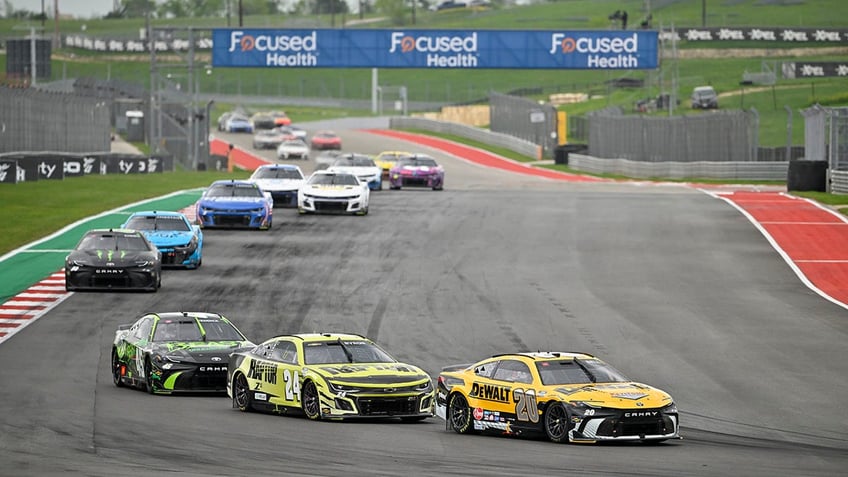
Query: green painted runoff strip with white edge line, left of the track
[[21, 268]]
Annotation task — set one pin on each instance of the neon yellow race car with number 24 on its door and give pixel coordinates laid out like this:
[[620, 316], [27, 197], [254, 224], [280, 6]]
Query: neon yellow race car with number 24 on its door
[[328, 376]]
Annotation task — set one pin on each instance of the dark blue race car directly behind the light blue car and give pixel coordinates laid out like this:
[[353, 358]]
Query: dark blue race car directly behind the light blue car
[[235, 204]]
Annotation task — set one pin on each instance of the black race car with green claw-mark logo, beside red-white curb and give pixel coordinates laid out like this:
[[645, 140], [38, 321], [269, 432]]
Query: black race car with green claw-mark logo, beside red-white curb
[[113, 259]]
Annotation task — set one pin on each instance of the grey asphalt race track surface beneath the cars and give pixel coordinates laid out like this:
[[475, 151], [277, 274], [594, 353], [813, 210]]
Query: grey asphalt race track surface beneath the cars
[[675, 288]]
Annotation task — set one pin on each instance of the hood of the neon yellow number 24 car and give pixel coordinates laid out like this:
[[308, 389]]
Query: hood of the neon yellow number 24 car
[[373, 374]]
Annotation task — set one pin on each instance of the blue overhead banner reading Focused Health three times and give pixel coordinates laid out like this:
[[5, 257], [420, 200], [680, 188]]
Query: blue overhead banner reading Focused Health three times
[[475, 49]]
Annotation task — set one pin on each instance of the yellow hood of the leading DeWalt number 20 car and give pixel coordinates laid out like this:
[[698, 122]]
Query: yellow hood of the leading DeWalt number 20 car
[[628, 395]]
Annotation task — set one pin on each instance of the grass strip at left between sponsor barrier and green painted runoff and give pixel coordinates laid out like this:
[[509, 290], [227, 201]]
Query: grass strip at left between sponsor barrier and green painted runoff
[[32, 210]]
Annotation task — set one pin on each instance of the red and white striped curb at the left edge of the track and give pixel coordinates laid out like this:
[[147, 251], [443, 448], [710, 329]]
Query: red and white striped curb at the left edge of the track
[[27, 306]]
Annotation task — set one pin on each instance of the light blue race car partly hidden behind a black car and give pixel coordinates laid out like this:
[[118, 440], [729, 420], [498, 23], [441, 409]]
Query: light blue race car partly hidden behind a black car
[[180, 241]]
